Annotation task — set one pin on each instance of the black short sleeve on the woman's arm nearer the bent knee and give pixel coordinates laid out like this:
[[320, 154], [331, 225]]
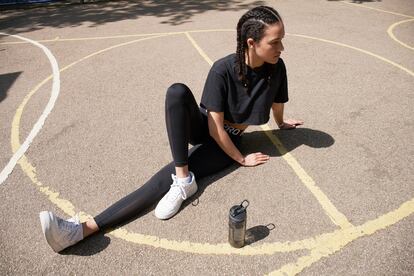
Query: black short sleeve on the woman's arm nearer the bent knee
[[213, 98]]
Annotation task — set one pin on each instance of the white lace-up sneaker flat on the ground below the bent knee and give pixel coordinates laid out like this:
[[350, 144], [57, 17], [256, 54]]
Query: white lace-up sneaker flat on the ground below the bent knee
[[171, 202]]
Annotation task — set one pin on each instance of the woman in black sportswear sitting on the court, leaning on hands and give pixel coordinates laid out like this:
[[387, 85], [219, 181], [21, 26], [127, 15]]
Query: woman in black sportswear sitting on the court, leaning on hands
[[239, 91]]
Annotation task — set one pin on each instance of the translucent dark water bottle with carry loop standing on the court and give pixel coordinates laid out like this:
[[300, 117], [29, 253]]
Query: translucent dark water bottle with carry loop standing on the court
[[237, 224]]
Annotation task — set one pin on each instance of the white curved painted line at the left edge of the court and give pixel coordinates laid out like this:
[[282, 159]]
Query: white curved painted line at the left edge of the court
[[39, 124]]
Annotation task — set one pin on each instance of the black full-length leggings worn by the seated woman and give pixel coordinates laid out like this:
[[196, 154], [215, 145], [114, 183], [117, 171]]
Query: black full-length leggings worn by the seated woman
[[186, 123]]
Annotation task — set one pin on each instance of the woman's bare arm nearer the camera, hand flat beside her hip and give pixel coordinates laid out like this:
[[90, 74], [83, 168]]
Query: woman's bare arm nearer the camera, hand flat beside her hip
[[216, 129]]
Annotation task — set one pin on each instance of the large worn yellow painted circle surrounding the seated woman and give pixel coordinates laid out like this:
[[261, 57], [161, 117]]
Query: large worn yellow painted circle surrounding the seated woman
[[317, 242]]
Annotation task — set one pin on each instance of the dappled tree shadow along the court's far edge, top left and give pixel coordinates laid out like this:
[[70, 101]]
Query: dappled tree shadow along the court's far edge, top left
[[173, 12]]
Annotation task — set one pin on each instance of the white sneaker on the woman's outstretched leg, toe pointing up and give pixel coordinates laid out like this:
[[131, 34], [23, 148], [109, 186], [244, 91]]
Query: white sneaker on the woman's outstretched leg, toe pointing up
[[60, 233]]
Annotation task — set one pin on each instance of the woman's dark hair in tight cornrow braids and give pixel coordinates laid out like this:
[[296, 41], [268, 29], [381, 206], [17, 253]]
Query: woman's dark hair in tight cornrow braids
[[252, 25]]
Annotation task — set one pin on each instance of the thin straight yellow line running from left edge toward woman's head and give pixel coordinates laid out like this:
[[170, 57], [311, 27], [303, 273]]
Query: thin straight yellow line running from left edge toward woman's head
[[58, 39]]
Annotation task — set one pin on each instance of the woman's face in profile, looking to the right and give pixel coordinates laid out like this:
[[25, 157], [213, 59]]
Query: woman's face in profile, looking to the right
[[269, 48]]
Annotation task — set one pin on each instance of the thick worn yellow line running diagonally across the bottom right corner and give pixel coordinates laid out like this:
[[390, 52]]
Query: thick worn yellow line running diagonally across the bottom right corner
[[328, 244]]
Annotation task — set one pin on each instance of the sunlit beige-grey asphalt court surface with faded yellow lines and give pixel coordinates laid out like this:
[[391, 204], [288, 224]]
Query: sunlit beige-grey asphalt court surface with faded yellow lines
[[338, 190]]
